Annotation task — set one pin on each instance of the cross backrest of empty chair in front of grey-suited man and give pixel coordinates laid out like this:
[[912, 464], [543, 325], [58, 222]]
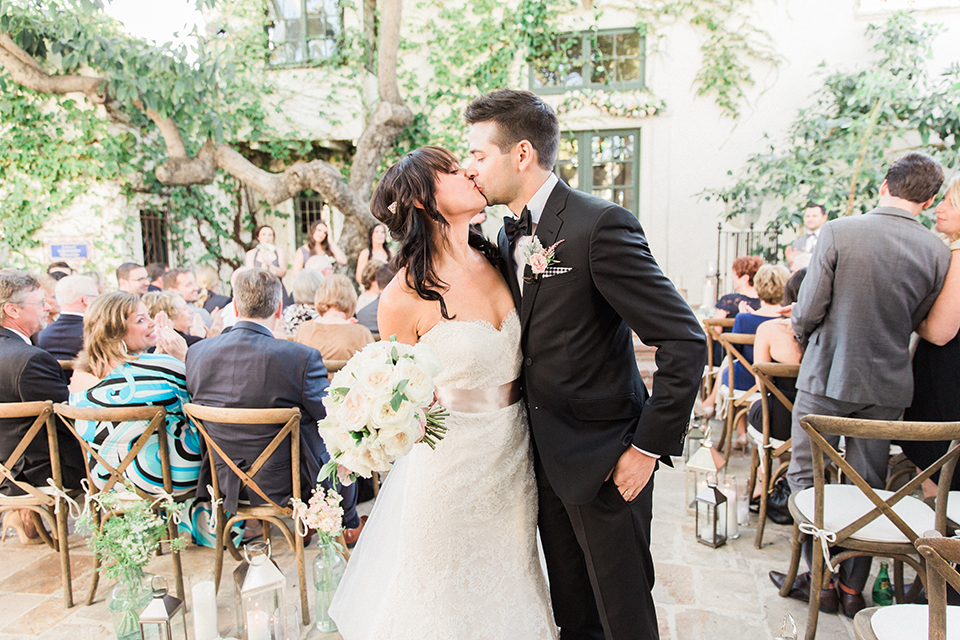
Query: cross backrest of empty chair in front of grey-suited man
[[815, 426]]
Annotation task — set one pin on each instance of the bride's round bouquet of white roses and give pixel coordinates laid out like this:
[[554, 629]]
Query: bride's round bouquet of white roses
[[378, 406]]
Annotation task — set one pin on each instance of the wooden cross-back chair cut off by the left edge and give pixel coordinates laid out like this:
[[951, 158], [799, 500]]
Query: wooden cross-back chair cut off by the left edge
[[39, 499]]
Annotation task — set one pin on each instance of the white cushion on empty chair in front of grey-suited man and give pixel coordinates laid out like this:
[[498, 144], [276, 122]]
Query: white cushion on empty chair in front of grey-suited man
[[844, 503]]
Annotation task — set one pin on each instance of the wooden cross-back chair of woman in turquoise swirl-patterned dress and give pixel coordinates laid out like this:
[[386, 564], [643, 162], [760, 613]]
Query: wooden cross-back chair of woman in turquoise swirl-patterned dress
[[155, 417]]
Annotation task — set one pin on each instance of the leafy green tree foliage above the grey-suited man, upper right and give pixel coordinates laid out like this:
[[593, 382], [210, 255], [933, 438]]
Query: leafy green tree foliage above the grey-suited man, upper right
[[837, 151]]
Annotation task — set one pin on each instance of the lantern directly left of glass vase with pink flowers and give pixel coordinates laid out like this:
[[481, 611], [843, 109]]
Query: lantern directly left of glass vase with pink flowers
[[259, 586]]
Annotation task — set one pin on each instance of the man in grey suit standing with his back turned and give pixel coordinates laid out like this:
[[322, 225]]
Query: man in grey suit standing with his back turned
[[871, 281]]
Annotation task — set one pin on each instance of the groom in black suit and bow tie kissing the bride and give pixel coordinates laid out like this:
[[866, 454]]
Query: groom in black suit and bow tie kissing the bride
[[597, 434]]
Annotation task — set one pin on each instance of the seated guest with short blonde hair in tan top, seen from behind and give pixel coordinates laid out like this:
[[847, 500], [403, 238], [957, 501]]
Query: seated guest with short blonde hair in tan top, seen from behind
[[335, 334]]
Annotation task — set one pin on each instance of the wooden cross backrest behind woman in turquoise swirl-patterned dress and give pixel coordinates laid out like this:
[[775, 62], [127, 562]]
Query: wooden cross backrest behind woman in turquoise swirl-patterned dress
[[154, 416]]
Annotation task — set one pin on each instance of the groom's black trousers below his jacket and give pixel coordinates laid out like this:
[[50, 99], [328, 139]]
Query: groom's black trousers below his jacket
[[599, 563]]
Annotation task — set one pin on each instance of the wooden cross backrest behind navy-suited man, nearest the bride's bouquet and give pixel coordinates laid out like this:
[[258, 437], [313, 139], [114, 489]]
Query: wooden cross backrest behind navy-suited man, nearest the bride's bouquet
[[290, 418]]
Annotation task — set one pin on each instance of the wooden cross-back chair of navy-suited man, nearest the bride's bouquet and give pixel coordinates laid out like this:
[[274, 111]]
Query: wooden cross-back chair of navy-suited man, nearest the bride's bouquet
[[268, 513]]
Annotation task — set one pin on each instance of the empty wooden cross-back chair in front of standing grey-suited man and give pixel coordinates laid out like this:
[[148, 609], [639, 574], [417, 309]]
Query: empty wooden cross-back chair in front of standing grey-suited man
[[863, 520]]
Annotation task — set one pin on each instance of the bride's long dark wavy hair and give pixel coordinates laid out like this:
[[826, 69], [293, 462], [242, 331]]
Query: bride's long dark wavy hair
[[404, 201]]
